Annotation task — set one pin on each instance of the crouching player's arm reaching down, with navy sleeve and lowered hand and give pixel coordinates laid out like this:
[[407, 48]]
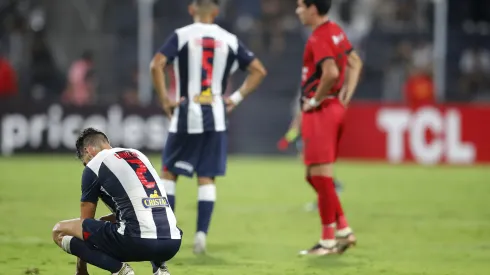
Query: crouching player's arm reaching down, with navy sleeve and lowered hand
[[88, 204]]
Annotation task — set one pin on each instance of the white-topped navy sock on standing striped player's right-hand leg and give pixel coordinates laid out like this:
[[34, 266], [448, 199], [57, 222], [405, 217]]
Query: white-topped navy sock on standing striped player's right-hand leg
[[206, 198]]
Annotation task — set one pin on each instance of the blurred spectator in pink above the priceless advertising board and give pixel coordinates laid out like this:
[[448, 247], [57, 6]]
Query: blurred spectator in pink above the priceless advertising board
[[81, 81]]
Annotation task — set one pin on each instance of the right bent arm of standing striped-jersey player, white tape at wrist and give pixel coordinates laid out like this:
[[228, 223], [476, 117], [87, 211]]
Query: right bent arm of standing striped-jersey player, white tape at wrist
[[256, 74]]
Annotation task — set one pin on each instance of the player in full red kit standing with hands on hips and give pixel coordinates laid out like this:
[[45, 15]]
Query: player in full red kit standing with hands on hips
[[331, 70]]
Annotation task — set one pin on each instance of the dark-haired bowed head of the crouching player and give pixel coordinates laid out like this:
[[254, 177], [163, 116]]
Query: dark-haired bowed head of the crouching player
[[89, 143]]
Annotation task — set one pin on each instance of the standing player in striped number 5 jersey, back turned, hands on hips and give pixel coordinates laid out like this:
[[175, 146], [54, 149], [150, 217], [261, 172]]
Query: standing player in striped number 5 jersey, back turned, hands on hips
[[204, 56]]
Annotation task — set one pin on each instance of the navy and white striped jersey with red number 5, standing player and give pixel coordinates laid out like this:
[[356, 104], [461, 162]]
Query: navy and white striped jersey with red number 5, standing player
[[204, 56]]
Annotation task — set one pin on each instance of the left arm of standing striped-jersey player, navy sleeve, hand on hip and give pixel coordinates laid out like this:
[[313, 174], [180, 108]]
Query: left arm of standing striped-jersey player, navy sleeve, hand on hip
[[164, 56]]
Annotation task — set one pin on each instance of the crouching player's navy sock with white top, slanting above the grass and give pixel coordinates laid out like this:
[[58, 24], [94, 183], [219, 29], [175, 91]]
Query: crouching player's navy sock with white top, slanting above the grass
[[89, 254]]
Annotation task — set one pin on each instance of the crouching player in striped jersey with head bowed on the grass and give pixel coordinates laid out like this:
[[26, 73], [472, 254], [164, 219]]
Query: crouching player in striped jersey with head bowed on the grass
[[144, 227]]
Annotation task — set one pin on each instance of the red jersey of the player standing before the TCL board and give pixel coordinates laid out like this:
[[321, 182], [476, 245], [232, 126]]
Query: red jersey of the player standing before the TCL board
[[327, 41]]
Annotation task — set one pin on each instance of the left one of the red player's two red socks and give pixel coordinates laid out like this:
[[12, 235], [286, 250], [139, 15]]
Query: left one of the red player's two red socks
[[326, 205]]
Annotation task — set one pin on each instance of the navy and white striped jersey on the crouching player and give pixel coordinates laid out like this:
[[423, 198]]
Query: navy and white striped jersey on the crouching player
[[128, 184]]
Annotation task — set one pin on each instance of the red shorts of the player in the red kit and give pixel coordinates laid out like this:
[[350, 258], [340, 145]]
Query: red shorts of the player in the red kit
[[321, 130]]
